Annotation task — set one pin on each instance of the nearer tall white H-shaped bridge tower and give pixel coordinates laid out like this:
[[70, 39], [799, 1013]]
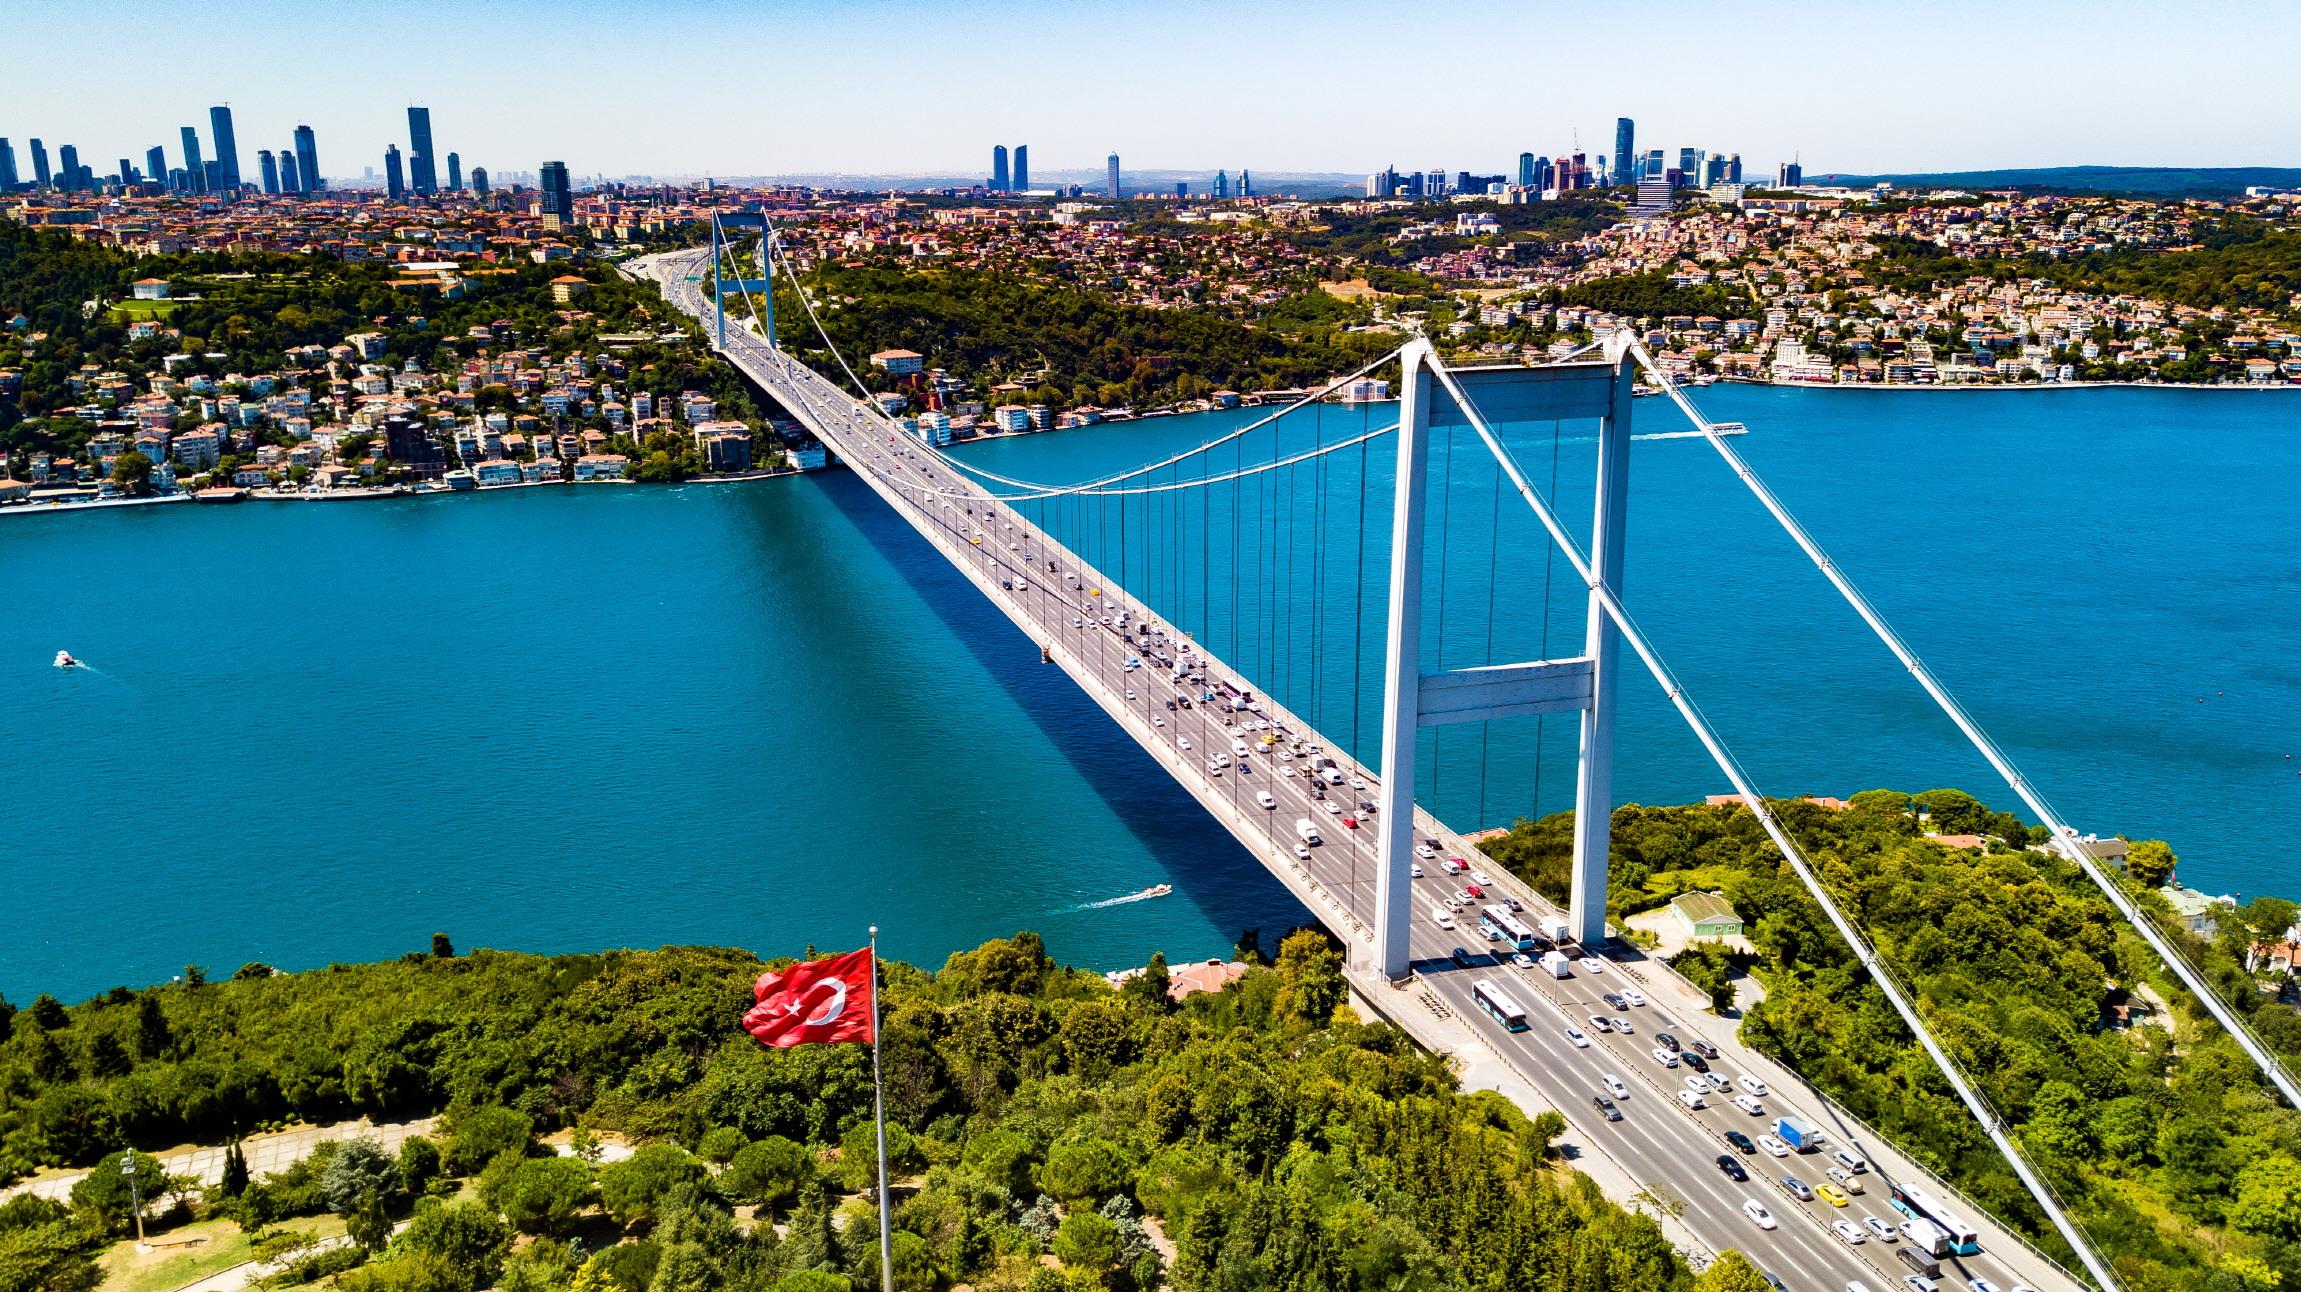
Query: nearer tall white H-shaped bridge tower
[[1587, 683]]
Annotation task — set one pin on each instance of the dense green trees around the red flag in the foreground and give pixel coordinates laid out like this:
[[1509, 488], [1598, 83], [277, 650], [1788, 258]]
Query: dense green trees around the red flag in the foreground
[[1267, 1134]]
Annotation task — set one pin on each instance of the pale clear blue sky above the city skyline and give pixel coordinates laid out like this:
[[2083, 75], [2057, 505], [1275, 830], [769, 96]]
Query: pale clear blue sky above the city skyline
[[901, 86]]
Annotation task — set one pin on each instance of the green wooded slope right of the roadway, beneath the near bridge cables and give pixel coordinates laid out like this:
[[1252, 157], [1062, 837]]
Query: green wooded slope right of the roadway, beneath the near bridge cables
[[2176, 1155]]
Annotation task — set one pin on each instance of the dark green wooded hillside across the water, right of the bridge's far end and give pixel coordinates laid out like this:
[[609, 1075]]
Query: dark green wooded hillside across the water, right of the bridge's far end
[[1071, 347]]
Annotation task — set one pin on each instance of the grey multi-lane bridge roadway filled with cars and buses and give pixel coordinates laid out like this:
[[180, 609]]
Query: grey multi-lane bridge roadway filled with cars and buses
[[1092, 630]]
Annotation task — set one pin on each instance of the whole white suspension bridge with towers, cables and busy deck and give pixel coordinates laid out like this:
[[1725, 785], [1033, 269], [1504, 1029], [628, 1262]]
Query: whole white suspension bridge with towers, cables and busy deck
[[1131, 582]]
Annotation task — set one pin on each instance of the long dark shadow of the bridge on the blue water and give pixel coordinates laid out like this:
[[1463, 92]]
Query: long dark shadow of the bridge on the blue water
[[1221, 879]]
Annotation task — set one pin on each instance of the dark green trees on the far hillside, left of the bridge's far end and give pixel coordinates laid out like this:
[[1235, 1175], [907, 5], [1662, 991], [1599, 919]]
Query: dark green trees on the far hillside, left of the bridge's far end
[[252, 310]]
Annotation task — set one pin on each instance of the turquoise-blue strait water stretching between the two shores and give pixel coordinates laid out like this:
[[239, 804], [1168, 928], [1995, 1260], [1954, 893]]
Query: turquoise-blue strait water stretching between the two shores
[[767, 715]]
